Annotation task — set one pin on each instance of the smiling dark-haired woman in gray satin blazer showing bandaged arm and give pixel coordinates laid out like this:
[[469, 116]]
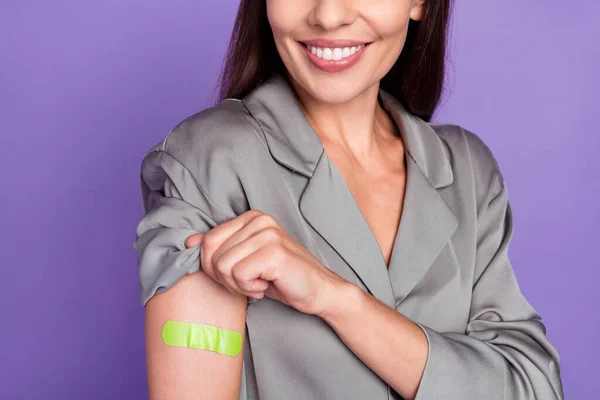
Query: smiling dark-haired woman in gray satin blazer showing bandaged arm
[[360, 250]]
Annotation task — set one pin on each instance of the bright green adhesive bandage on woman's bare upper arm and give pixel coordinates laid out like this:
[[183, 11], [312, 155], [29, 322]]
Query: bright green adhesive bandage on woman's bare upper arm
[[197, 336]]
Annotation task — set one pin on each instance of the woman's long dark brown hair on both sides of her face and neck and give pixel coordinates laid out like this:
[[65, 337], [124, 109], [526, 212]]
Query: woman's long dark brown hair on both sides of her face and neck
[[416, 79]]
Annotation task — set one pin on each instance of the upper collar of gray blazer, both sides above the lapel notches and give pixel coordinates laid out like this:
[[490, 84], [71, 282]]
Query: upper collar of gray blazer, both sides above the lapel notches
[[293, 142]]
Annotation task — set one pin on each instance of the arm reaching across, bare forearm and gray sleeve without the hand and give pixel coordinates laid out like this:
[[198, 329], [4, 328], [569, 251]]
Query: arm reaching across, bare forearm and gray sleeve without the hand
[[503, 353]]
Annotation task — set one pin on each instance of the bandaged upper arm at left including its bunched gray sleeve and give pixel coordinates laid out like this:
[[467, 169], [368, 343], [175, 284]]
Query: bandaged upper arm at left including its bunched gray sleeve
[[173, 286]]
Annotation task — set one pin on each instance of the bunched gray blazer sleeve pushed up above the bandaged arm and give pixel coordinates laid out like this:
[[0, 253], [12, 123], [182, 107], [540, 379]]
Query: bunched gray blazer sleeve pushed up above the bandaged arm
[[175, 207]]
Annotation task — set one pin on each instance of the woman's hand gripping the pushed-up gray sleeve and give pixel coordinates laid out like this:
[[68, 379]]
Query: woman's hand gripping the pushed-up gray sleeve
[[252, 255]]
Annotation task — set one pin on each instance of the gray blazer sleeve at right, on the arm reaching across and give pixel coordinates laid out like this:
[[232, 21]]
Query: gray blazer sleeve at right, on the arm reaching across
[[504, 353]]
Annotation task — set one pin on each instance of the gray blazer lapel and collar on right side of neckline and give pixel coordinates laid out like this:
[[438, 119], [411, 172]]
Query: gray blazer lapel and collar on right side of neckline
[[427, 221]]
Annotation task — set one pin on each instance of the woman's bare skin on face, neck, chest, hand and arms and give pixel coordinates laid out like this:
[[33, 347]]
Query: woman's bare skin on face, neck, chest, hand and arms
[[246, 256]]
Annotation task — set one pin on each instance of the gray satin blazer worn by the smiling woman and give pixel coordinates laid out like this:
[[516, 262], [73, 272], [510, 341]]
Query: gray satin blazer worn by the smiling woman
[[449, 272]]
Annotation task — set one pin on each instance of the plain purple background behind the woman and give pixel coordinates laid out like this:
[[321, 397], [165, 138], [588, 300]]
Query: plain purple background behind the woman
[[87, 87]]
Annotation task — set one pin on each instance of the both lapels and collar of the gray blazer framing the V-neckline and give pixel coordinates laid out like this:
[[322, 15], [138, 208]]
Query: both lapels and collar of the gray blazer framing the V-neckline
[[329, 207]]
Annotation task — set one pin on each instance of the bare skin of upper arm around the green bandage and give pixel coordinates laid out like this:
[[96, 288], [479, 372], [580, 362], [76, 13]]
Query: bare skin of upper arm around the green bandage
[[185, 373]]
